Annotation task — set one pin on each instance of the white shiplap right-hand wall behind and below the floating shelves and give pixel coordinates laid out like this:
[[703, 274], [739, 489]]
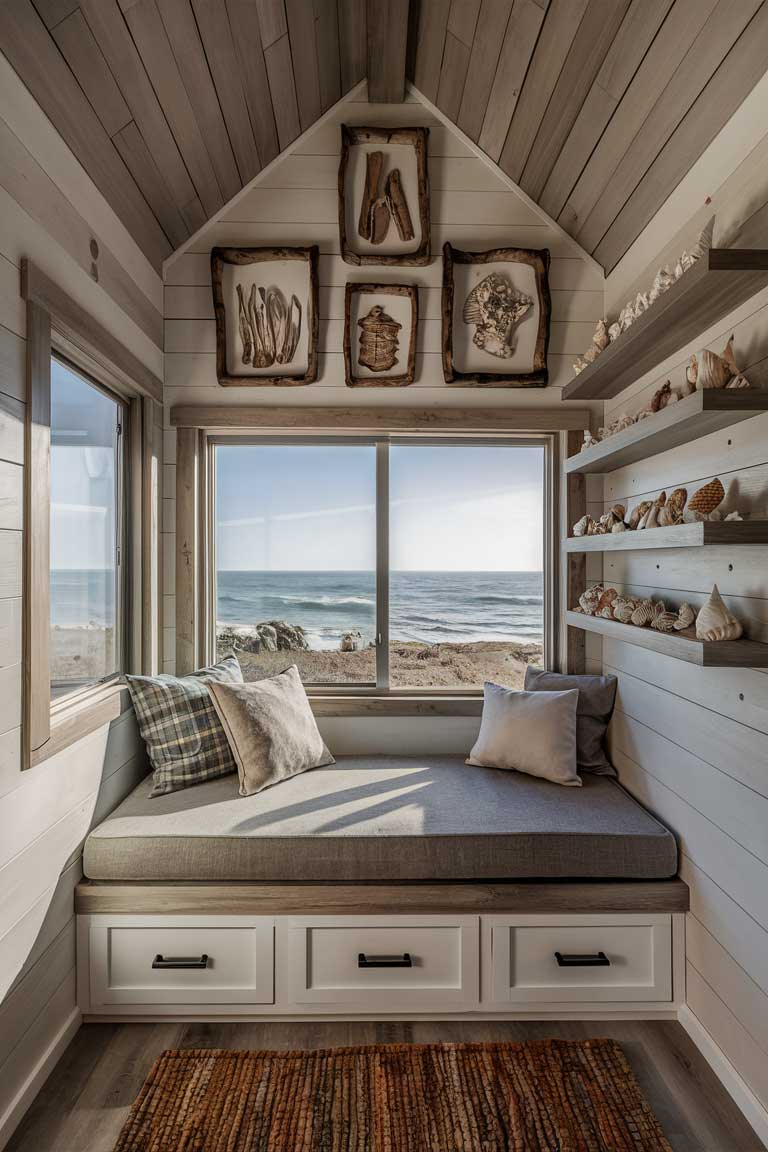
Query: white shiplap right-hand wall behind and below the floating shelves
[[693, 744]]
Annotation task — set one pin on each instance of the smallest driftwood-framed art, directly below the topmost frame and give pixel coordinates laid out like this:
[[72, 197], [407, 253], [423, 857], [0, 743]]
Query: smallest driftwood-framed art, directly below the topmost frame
[[381, 328]]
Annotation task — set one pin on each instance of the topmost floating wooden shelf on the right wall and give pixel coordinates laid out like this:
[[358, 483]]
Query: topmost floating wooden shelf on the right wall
[[704, 295]]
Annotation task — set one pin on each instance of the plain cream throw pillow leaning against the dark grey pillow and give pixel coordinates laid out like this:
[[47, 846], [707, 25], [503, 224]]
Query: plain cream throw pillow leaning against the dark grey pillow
[[529, 732]]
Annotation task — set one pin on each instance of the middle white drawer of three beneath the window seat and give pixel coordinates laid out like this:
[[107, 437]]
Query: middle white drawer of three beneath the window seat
[[383, 962]]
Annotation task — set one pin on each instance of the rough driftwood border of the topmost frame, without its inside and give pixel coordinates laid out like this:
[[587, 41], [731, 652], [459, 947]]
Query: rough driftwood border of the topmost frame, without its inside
[[417, 138]]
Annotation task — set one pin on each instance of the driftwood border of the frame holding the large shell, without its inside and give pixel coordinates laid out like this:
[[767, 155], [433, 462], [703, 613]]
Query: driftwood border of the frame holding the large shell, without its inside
[[538, 259]]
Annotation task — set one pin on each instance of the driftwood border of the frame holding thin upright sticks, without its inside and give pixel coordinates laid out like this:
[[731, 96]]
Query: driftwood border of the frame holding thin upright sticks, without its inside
[[242, 256]]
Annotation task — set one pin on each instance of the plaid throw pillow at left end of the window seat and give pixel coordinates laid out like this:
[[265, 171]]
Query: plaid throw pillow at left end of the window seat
[[180, 726]]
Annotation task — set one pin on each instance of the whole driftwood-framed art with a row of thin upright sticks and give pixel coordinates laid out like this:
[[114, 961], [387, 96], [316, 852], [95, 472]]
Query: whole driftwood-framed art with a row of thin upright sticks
[[273, 324]]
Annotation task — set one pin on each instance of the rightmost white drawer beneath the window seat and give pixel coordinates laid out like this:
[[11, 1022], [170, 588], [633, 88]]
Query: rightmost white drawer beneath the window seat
[[560, 959]]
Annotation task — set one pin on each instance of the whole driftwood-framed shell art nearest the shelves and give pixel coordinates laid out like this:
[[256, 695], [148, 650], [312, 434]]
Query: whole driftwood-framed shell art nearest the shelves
[[496, 317]]
